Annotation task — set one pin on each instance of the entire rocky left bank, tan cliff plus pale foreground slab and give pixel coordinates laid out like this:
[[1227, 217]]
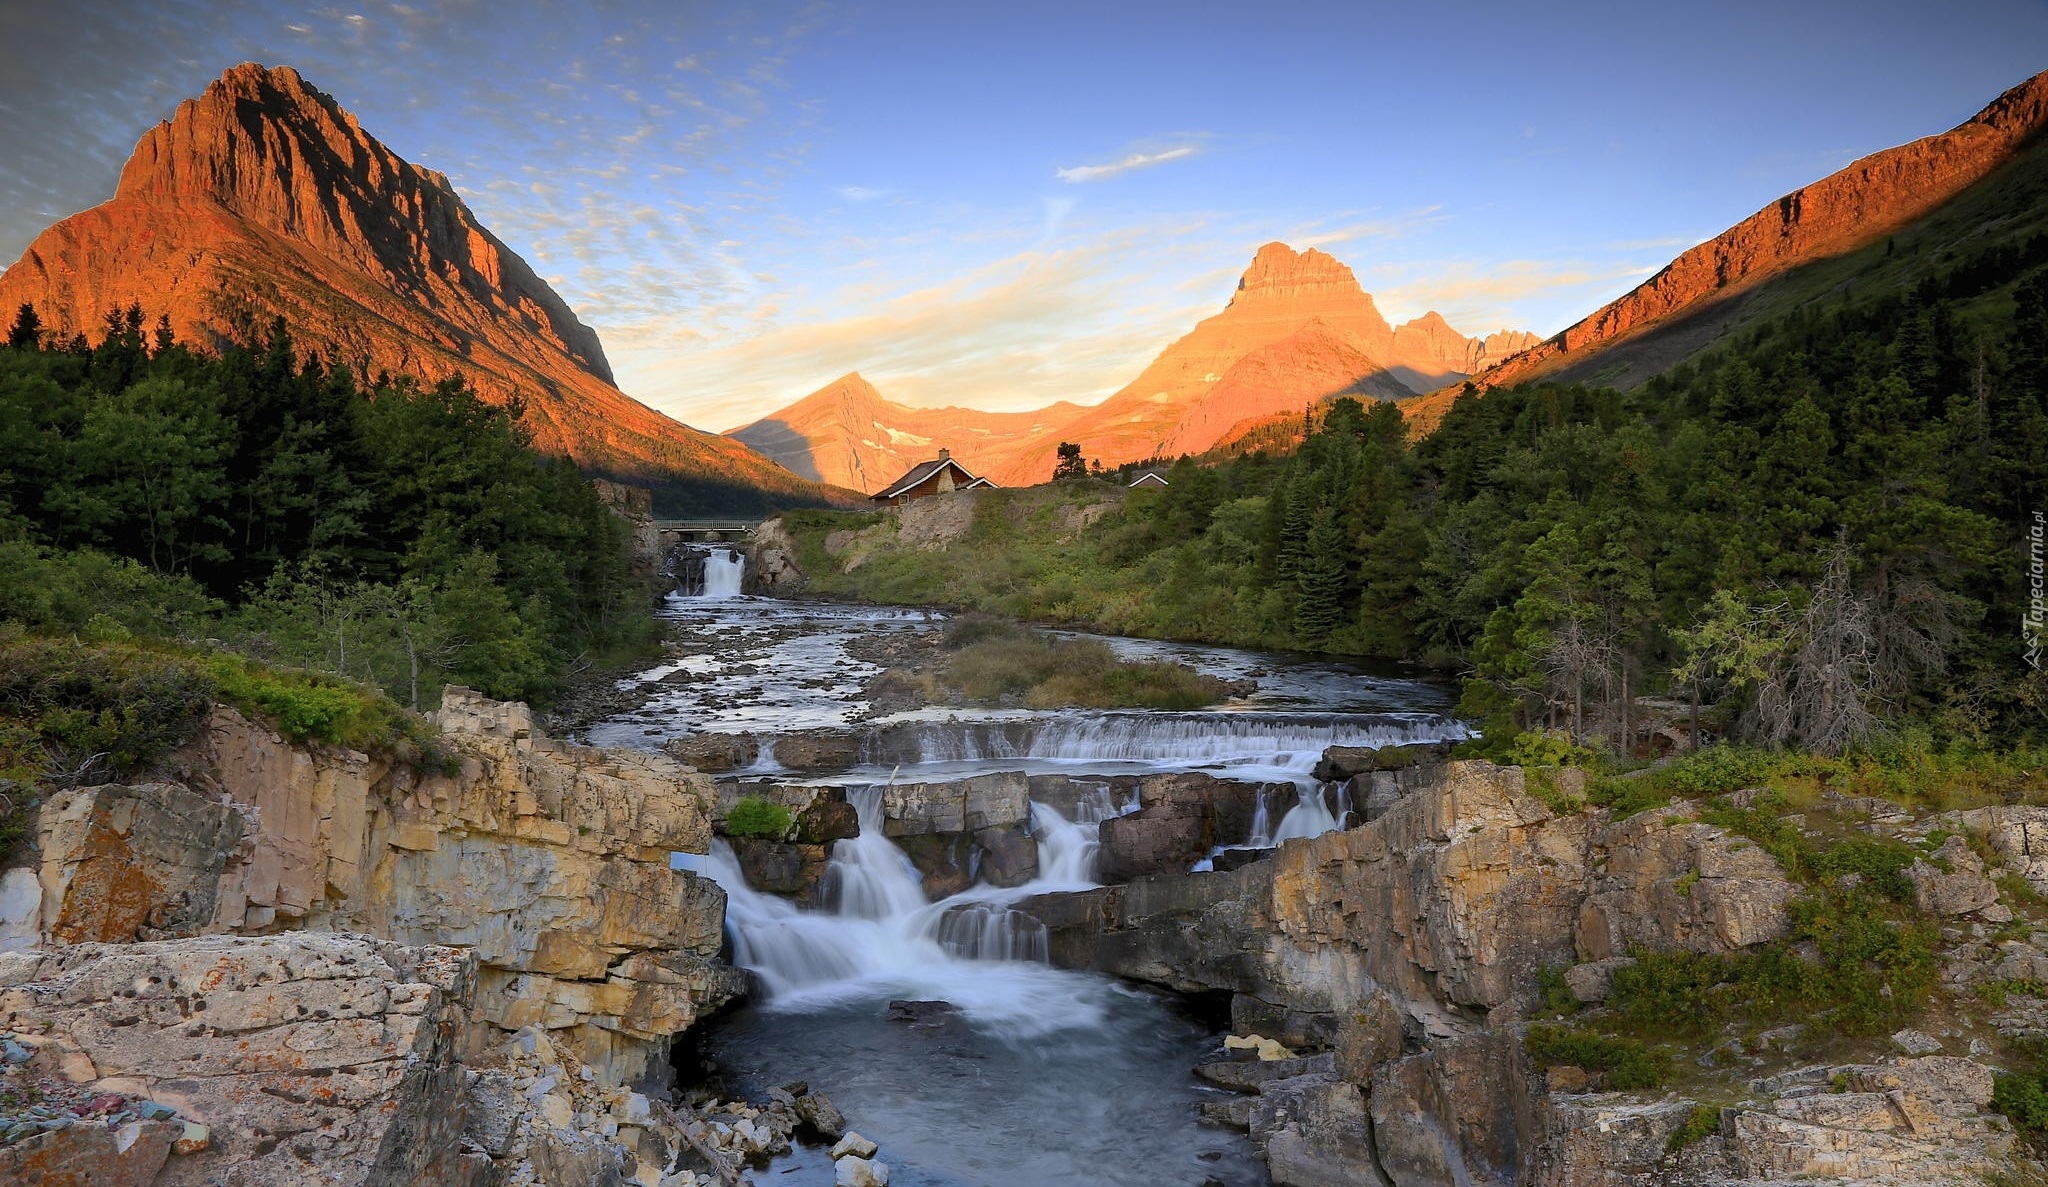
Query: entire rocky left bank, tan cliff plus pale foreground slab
[[208, 957]]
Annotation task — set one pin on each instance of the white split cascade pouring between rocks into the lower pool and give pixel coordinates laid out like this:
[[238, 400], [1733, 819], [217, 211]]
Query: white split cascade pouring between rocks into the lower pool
[[880, 934]]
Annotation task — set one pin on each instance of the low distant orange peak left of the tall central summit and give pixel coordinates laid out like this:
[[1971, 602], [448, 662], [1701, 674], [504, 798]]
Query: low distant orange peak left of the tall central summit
[[851, 437]]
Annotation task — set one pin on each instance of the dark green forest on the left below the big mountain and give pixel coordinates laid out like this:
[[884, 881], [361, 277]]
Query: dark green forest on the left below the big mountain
[[273, 500]]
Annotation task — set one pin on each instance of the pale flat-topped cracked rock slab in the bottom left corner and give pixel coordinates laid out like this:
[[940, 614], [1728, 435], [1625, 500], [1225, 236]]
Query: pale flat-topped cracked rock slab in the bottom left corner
[[331, 1051]]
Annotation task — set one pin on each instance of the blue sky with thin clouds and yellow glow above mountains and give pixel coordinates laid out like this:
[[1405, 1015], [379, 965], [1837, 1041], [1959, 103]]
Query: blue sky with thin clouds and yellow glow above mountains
[[1000, 206]]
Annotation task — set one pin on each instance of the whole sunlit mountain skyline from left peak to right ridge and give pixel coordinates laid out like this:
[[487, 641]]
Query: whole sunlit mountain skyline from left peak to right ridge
[[263, 197]]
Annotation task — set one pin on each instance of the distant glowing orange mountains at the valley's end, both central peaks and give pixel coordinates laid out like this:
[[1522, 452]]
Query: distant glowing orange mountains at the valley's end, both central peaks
[[1299, 331]]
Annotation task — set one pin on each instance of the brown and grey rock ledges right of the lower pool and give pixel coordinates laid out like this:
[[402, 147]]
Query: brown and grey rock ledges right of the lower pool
[[1408, 953]]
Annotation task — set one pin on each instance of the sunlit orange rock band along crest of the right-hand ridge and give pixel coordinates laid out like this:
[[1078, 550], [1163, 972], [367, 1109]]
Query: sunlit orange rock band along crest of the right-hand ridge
[[1838, 214]]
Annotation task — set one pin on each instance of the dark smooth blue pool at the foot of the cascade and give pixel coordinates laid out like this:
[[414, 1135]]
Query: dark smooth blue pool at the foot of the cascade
[[955, 1106]]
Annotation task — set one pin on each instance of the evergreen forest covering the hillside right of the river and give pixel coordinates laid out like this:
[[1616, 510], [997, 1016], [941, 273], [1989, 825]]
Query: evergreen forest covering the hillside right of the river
[[1805, 539]]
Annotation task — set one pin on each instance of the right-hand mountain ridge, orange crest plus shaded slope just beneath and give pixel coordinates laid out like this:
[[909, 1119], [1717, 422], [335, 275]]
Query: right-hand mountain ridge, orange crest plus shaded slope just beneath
[[1734, 279]]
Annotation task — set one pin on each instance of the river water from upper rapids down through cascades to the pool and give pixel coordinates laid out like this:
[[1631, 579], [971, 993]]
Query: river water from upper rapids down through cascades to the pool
[[1035, 1075]]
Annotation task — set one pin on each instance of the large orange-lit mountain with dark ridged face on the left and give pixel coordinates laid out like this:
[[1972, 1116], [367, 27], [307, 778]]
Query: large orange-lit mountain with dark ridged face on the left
[[265, 197]]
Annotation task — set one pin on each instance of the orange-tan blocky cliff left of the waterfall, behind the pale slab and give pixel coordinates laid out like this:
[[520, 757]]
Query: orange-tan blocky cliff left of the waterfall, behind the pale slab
[[550, 863]]
